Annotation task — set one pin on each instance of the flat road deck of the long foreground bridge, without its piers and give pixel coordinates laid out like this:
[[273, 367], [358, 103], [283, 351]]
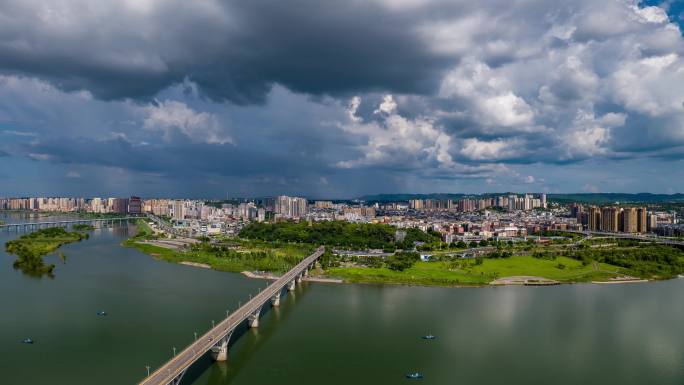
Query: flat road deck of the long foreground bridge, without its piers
[[175, 367]]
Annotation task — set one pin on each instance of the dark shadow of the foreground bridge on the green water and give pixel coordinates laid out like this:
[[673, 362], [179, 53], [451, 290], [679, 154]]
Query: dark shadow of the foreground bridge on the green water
[[269, 319]]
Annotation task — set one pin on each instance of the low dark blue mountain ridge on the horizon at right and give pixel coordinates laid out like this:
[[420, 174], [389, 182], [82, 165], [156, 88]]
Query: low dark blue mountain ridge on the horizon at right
[[596, 198]]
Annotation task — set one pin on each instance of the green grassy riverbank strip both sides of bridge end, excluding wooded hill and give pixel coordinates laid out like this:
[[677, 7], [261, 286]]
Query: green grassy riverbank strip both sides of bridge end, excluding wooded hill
[[496, 268]]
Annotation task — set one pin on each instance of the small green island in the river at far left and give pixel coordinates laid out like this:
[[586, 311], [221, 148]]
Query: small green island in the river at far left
[[31, 248]]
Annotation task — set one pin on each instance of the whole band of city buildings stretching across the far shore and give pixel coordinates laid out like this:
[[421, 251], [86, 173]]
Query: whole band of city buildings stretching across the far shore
[[500, 217]]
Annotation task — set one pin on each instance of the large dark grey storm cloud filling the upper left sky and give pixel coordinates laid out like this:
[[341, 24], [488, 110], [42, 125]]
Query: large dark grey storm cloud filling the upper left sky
[[233, 50]]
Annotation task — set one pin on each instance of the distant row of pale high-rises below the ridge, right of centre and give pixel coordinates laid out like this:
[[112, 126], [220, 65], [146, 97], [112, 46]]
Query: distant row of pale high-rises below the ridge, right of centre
[[509, 202]]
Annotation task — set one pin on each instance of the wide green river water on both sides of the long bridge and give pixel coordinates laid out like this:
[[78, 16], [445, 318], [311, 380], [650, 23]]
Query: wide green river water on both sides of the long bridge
[[327, 333]]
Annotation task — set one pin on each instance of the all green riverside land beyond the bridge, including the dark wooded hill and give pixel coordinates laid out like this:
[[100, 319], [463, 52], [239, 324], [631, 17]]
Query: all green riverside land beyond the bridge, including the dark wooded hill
[[422, 259]]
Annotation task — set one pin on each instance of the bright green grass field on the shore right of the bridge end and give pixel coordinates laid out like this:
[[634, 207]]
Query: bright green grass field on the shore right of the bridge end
[[440, 273]]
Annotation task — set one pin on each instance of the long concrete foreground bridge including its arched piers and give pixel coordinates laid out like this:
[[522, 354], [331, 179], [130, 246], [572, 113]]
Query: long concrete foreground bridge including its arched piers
[[216, 340]]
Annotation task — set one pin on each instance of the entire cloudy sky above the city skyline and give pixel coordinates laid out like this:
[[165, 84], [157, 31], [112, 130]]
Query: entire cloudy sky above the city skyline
[[214, 99]]
